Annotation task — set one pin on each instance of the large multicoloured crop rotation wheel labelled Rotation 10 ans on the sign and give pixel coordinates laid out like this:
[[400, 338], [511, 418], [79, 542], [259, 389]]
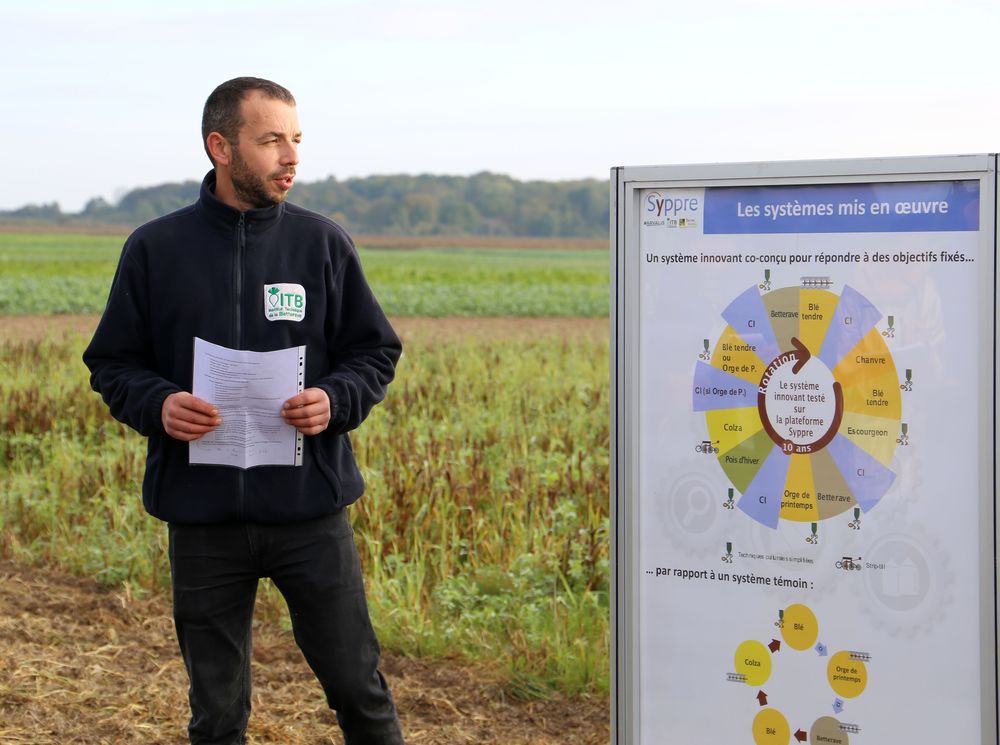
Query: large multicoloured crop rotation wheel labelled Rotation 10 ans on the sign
[[803, 403]]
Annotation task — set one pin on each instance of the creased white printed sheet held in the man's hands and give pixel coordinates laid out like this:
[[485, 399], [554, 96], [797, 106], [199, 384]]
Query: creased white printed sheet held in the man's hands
[[249, 389]]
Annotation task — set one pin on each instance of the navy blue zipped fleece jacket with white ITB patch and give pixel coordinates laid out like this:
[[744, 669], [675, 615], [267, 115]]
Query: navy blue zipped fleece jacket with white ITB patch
[[203, 271]]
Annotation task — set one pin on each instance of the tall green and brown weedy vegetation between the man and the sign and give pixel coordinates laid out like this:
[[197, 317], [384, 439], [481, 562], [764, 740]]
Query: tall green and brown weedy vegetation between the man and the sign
[[489, 532]]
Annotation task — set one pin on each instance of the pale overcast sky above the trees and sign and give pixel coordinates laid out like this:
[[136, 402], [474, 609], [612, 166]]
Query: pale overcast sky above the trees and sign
[[106, 96]]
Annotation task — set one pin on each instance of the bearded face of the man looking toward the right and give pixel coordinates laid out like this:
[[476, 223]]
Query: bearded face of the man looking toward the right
[[262, 166]]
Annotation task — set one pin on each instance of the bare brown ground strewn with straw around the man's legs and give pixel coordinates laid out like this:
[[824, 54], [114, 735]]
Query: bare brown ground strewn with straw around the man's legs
[[79, 664]]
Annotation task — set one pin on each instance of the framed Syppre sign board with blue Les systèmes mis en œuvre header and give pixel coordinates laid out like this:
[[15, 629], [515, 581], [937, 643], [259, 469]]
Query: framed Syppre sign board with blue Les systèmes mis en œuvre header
[[803, 452]]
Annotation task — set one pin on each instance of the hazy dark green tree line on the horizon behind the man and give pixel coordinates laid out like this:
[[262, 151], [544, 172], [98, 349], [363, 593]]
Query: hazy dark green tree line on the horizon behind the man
[[481, 204]]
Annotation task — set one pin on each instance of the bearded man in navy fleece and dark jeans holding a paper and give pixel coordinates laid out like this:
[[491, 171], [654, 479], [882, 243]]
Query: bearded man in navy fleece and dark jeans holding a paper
[[206, 271]]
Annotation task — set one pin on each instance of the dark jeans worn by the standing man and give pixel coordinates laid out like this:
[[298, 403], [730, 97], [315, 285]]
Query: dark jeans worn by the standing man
[[215, 570]]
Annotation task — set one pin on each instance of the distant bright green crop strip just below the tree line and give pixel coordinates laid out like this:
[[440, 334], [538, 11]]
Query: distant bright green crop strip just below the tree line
[[63, 273]]
